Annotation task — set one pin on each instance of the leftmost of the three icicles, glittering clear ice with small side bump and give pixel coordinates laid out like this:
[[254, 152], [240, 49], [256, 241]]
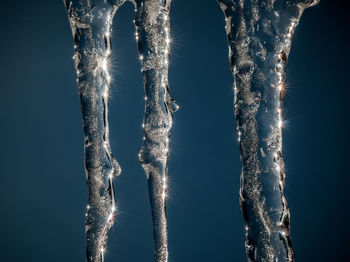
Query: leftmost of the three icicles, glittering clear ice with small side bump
[[91, 23]]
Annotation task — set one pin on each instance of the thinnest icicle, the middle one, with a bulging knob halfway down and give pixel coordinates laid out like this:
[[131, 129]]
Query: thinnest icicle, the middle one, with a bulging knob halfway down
[[153, 39]]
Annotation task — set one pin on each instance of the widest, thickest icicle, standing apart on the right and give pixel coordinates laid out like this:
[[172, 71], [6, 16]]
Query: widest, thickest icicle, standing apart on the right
[[259, 37]]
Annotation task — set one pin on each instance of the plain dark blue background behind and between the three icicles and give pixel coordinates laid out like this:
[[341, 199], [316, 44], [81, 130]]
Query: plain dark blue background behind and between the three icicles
[[42, 181]]
